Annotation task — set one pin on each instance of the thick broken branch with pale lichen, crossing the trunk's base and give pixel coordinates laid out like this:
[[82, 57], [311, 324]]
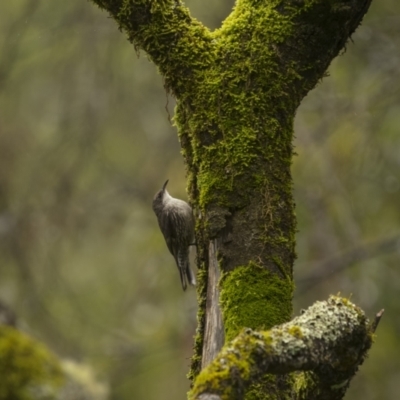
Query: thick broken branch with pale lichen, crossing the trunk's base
[[330, 340]]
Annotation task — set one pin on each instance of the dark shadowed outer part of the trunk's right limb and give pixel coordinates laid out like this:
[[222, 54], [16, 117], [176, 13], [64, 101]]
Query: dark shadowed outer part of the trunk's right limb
[[320, 30]]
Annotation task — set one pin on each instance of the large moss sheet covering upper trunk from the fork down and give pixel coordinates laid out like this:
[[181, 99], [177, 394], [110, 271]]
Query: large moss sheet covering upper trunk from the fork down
[[232, 129]]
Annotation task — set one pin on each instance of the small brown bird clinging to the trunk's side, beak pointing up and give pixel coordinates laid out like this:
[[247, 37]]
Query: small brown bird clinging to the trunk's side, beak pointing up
[[176, 222]]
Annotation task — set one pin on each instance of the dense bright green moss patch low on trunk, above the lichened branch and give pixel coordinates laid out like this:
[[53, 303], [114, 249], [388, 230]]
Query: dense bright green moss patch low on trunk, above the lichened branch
[[253, 297]]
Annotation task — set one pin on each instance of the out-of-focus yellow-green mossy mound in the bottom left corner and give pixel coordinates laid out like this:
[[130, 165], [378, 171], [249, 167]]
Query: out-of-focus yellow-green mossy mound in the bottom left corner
[[27, 369]]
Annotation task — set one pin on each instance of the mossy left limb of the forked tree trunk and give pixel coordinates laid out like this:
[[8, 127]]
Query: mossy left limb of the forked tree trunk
[[178, 44]]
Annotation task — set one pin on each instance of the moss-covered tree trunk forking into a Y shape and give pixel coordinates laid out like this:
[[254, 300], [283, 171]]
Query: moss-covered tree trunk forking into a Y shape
[[237, 91]]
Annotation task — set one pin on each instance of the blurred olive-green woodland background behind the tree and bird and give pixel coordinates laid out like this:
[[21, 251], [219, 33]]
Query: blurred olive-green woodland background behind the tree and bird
[[85, 142]]
